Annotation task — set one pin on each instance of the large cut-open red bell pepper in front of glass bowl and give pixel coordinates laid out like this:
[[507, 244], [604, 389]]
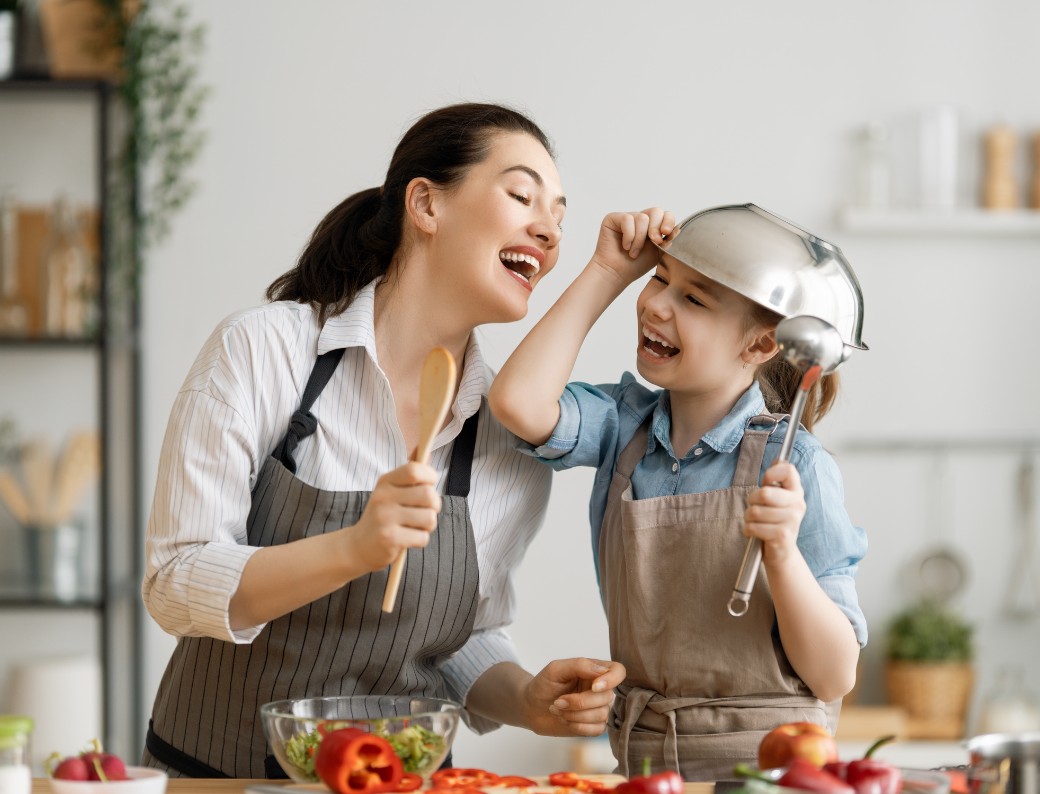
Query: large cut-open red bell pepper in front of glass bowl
[[354, 762]]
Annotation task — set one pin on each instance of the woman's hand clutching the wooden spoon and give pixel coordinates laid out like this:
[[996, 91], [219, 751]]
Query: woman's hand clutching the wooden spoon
[[401, 514]]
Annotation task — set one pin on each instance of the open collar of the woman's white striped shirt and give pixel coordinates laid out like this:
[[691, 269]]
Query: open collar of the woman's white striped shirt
[[356, 328]]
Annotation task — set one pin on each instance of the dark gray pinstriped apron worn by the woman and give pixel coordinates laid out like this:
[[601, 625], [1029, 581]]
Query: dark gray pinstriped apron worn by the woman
[[206, 721]]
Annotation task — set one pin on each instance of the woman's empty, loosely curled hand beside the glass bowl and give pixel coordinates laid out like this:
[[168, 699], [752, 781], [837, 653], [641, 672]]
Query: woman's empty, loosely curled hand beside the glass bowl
[[573, 697]]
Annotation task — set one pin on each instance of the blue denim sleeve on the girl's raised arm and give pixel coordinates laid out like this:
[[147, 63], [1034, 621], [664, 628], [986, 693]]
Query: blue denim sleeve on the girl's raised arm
[[588, 423]]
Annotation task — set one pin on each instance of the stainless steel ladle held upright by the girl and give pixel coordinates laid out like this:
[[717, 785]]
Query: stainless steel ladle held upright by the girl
[[816, 348]]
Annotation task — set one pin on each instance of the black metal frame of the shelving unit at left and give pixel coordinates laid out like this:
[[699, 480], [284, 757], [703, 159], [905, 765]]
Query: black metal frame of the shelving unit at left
[[114, 600]]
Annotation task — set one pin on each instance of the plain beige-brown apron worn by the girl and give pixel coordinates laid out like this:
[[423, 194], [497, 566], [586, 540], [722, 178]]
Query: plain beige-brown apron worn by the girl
[[704, 687]]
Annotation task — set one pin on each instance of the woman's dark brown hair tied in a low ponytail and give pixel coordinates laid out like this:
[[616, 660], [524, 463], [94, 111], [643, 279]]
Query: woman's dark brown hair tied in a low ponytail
[[358, 240]]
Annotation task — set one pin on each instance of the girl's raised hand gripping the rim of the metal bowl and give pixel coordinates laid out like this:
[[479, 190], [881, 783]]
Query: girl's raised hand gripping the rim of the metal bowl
[[626, 246]]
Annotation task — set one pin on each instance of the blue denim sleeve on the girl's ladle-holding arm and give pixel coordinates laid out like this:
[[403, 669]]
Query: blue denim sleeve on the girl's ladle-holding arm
[[831, 545]]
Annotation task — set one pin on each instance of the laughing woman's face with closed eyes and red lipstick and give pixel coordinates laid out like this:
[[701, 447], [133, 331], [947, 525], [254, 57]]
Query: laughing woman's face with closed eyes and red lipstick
[[499, 232]]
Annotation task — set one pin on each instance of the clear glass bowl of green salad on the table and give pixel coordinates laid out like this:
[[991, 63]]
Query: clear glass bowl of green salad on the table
[[420, 729]]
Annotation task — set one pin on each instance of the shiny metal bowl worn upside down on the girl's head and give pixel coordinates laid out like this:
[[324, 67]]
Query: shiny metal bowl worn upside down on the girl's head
[[774, 264]]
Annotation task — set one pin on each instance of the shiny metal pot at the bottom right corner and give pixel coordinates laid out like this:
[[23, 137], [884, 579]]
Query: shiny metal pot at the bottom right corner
[[1005, 763]]
